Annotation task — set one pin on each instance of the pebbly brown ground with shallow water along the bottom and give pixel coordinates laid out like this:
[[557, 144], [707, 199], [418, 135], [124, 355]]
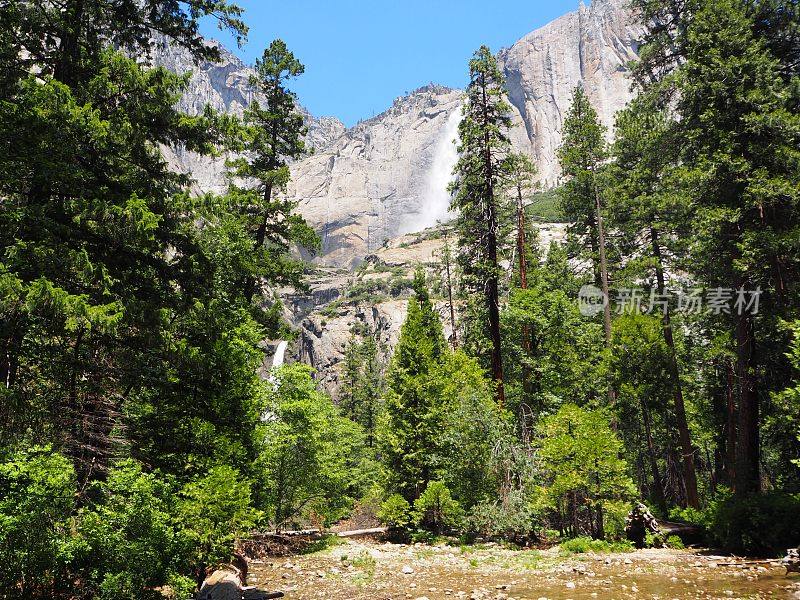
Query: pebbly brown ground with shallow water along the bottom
[[374, 570]]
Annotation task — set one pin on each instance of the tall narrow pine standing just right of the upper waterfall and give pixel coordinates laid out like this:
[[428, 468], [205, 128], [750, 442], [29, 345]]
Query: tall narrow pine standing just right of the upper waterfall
[[483, 148]]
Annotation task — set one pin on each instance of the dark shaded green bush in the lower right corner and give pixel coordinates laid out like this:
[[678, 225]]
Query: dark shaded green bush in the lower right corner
[[759, 525]]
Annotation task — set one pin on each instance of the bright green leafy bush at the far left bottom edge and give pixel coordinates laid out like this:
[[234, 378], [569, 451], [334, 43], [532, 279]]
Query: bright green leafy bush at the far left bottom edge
[[37, 491]]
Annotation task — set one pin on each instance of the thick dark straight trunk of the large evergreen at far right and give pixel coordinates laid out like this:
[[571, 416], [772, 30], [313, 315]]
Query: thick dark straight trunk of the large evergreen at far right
[[747, 477]]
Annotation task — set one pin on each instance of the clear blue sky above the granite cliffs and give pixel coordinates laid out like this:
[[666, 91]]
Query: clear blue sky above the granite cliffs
[[360, 55]]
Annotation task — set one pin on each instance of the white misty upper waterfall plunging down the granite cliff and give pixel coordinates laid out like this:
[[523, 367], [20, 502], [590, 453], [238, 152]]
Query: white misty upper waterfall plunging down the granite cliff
[[436, 199]]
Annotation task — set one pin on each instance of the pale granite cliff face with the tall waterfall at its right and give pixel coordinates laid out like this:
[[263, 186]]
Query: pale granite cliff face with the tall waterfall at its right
[[383, 177]]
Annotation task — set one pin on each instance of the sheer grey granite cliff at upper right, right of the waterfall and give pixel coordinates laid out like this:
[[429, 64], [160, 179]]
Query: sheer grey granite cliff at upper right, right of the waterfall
[[591, 47]]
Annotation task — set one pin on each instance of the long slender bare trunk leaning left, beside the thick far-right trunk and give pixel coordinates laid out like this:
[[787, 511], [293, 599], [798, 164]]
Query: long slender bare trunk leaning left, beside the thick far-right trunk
[[687, 453]]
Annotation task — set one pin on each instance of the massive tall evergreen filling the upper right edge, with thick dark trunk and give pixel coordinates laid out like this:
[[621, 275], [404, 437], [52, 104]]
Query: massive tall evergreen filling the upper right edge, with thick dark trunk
[[733, 66]]
